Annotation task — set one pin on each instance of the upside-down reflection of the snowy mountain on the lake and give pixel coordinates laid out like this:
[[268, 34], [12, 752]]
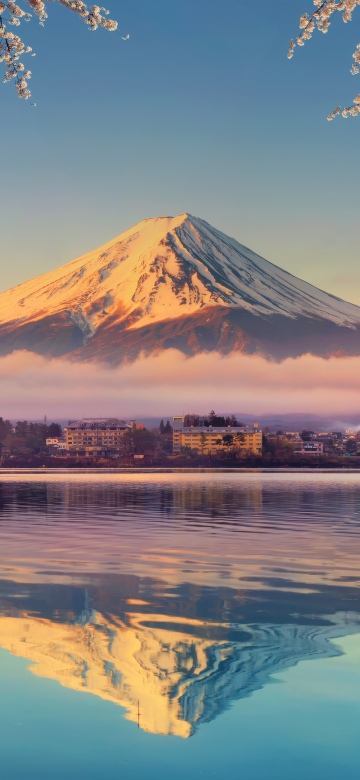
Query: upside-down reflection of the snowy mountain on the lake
[[172, 659]]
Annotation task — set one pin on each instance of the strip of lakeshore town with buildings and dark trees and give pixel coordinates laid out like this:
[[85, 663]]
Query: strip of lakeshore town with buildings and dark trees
[[191, 440]]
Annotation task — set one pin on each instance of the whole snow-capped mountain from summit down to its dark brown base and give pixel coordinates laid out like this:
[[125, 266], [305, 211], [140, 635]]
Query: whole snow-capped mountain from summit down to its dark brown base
[[174, 282]]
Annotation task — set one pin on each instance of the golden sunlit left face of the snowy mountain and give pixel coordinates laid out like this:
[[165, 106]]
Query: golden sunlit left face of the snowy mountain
[[108, 279]]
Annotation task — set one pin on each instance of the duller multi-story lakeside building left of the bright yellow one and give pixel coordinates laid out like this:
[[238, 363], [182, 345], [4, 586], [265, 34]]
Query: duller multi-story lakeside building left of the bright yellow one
[[94, 436]]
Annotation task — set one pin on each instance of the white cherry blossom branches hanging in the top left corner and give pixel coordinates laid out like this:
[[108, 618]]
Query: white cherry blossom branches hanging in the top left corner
[[12, 47]]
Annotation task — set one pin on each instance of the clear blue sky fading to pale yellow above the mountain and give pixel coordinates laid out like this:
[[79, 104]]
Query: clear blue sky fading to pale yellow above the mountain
[[199, 111]]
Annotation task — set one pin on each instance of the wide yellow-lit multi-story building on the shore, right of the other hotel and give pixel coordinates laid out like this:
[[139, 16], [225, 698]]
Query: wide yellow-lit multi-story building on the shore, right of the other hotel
[[208, 440]]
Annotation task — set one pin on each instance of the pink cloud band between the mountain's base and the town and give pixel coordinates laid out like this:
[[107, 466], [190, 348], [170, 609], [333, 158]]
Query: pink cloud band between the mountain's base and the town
[[31, 386]]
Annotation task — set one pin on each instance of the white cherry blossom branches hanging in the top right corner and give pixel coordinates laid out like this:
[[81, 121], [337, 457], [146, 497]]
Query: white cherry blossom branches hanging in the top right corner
[[321, 19]]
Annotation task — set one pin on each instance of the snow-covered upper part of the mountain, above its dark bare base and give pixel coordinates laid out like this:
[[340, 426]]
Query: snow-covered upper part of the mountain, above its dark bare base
[[162, 270]]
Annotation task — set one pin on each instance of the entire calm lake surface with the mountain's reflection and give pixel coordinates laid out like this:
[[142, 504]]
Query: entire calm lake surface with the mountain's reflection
[[171, 625]]
